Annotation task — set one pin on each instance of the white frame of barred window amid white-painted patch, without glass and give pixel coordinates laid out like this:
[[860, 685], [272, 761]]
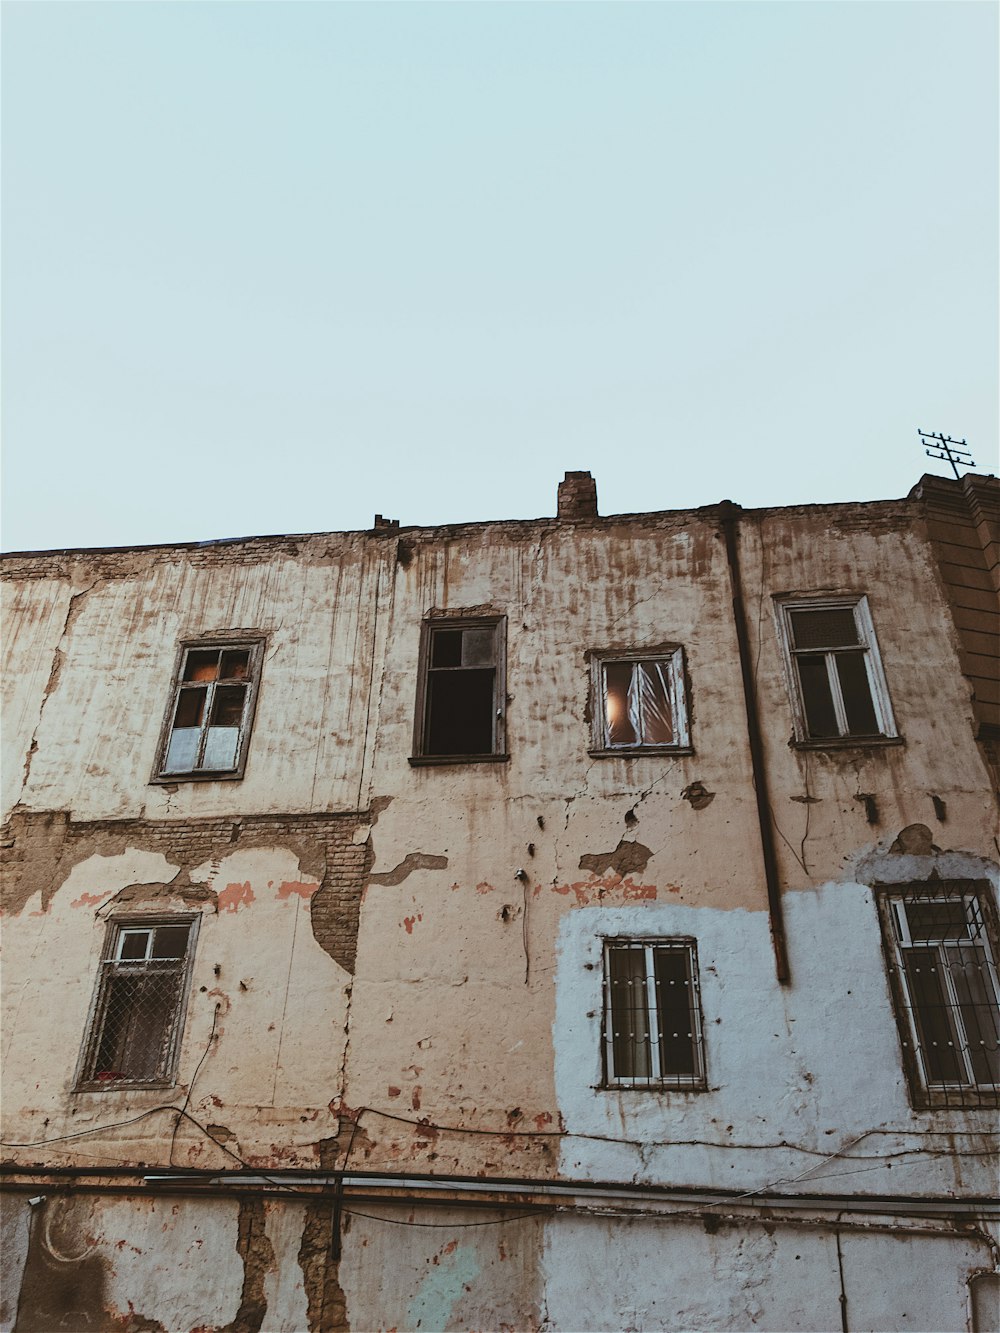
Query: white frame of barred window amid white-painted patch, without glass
[[657, 1080]]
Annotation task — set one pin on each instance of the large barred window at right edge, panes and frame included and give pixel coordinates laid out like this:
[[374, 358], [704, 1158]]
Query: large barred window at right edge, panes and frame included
[[941, 943]]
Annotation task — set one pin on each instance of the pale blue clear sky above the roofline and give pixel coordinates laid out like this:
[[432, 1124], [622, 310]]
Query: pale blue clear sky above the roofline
[[279, 267]]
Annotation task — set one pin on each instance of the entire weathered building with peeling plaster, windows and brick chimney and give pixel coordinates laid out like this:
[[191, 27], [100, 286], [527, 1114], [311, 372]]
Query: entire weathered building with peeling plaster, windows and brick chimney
[[574, 924]]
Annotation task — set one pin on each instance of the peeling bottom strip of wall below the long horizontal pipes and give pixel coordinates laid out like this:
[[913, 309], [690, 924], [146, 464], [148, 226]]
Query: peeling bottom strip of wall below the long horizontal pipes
[[174, 1264]]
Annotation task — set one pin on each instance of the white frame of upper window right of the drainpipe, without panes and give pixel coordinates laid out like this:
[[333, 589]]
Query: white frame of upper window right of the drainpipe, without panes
[[867, 646]]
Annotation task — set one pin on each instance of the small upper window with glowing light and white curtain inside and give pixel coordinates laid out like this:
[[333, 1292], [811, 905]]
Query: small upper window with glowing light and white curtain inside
[[639, 702]]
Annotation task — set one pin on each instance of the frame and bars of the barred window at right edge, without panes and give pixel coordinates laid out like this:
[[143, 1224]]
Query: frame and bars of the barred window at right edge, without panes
[[898, 939]]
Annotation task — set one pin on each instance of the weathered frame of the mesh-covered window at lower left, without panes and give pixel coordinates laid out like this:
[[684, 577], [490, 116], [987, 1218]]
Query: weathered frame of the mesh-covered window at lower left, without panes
[[111, 966]]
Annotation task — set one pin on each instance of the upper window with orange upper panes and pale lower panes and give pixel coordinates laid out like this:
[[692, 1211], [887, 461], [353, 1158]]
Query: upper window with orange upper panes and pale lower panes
[[211, 710]]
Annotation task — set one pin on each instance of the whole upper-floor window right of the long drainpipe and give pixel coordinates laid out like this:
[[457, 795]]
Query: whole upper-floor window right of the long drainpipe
[[838, 683]]
